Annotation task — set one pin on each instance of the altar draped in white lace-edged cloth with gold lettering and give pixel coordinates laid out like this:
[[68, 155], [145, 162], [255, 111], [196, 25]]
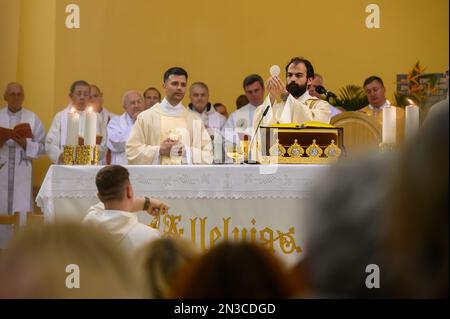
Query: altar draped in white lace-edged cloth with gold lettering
[[208, 203]]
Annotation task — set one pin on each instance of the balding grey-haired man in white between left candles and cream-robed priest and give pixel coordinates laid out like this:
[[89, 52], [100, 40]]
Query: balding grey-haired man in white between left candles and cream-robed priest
[[119, 127]]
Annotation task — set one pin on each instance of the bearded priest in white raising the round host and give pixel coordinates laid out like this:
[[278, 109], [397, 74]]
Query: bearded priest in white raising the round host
[[292, 103]]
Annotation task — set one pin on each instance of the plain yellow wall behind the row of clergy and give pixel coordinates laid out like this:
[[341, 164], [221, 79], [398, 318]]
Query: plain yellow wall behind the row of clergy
[[123, 45]]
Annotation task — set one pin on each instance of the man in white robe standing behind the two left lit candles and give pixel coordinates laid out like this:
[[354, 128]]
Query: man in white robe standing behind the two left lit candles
[[57, 134]]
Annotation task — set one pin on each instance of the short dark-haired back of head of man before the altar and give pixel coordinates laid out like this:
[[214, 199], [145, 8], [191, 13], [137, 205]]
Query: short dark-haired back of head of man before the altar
[[111, 181]]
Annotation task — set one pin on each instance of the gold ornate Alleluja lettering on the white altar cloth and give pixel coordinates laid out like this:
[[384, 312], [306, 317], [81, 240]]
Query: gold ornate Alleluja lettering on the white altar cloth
[[169, 225]]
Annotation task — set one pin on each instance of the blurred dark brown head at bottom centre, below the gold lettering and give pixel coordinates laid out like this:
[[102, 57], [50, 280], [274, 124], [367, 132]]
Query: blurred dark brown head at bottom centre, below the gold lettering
[[235, 270]]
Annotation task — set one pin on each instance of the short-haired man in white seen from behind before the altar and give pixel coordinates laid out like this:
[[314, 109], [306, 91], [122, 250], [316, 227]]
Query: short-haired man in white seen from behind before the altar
[[116, 193]]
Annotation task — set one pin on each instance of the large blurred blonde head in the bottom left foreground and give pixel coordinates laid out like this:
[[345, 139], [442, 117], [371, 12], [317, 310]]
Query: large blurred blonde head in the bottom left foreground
[[36, 264]]
